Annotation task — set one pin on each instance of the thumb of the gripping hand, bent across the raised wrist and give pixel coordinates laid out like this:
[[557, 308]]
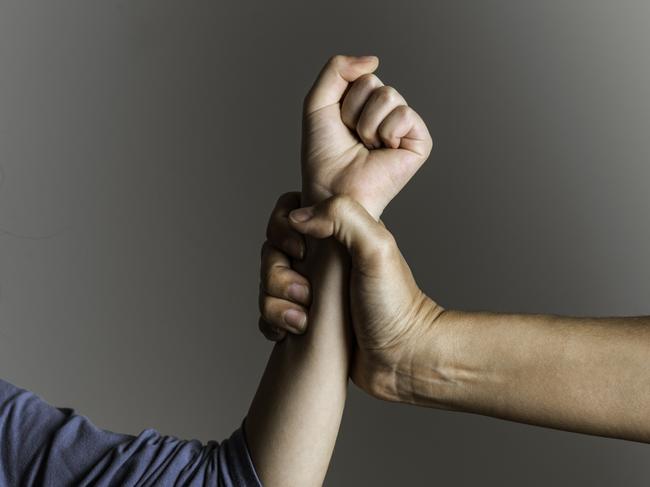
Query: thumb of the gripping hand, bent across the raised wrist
[[367, 240]]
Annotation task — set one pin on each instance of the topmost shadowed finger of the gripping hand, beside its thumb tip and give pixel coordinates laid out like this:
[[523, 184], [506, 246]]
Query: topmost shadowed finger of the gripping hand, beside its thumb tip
[[278, 231]]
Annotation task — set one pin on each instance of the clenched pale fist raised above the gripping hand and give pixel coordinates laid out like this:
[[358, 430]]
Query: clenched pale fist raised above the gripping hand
[[360, 137]]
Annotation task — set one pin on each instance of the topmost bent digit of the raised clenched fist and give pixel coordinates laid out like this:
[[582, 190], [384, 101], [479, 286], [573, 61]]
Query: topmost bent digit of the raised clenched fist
[[333, 80]]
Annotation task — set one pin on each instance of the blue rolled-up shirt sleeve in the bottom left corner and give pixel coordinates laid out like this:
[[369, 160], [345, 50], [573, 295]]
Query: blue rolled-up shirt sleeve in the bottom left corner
[[42, 445]]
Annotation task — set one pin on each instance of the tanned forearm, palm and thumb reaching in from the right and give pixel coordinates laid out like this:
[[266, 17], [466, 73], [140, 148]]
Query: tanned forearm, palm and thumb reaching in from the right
[[587, 375]]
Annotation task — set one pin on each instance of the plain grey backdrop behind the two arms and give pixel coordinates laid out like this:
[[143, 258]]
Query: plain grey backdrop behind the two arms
[[143, 143]]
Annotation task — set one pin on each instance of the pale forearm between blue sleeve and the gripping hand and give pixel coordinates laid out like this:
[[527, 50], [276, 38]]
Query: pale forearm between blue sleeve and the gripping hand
[[294, 419]]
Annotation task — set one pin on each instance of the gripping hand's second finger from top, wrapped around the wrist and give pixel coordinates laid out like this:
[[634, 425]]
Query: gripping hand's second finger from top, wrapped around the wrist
[[279, 280]]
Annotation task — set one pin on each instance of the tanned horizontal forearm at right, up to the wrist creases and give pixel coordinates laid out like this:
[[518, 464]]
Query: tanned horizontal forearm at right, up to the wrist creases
[[588, 375]]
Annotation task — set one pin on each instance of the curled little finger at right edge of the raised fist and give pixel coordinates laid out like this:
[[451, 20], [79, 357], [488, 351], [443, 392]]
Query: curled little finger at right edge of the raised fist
[[403, 128]]
